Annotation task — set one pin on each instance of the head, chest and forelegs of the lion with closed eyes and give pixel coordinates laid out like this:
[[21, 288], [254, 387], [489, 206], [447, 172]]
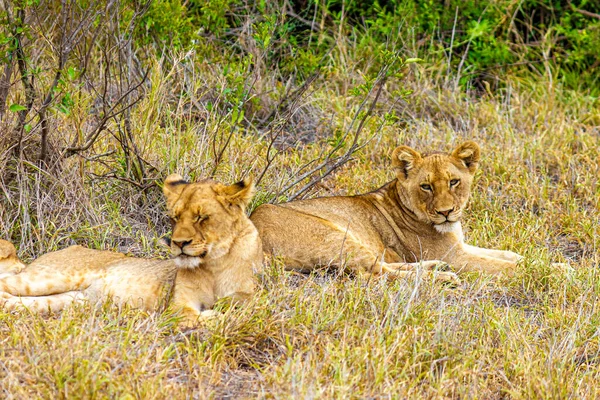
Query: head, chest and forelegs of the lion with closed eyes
[[217, 248]]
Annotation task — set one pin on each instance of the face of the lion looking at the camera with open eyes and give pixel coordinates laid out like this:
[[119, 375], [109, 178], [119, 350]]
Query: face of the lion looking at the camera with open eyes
[[436, 187]]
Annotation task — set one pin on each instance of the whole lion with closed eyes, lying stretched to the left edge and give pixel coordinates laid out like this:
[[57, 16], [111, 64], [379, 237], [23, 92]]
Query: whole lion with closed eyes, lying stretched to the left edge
[[215, 249]]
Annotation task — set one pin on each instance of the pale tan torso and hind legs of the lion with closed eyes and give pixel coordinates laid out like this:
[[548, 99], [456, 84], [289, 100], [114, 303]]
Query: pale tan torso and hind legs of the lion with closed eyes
[[77, 273]]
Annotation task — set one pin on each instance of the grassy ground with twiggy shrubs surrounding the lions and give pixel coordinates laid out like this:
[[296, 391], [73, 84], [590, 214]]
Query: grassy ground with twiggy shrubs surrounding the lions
[[232, 105]]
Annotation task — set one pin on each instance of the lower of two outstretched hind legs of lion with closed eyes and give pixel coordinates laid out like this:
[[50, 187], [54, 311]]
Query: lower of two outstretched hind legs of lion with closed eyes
[[41, 304]]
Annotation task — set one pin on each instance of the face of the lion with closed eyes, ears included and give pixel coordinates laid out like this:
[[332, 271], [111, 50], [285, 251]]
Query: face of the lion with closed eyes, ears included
[[205, 217]]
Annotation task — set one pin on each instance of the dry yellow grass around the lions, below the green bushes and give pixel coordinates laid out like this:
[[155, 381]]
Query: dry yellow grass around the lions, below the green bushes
[[534, 335]]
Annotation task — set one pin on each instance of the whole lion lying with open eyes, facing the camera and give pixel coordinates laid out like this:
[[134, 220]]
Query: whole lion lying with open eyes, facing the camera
[[411, 222]]
